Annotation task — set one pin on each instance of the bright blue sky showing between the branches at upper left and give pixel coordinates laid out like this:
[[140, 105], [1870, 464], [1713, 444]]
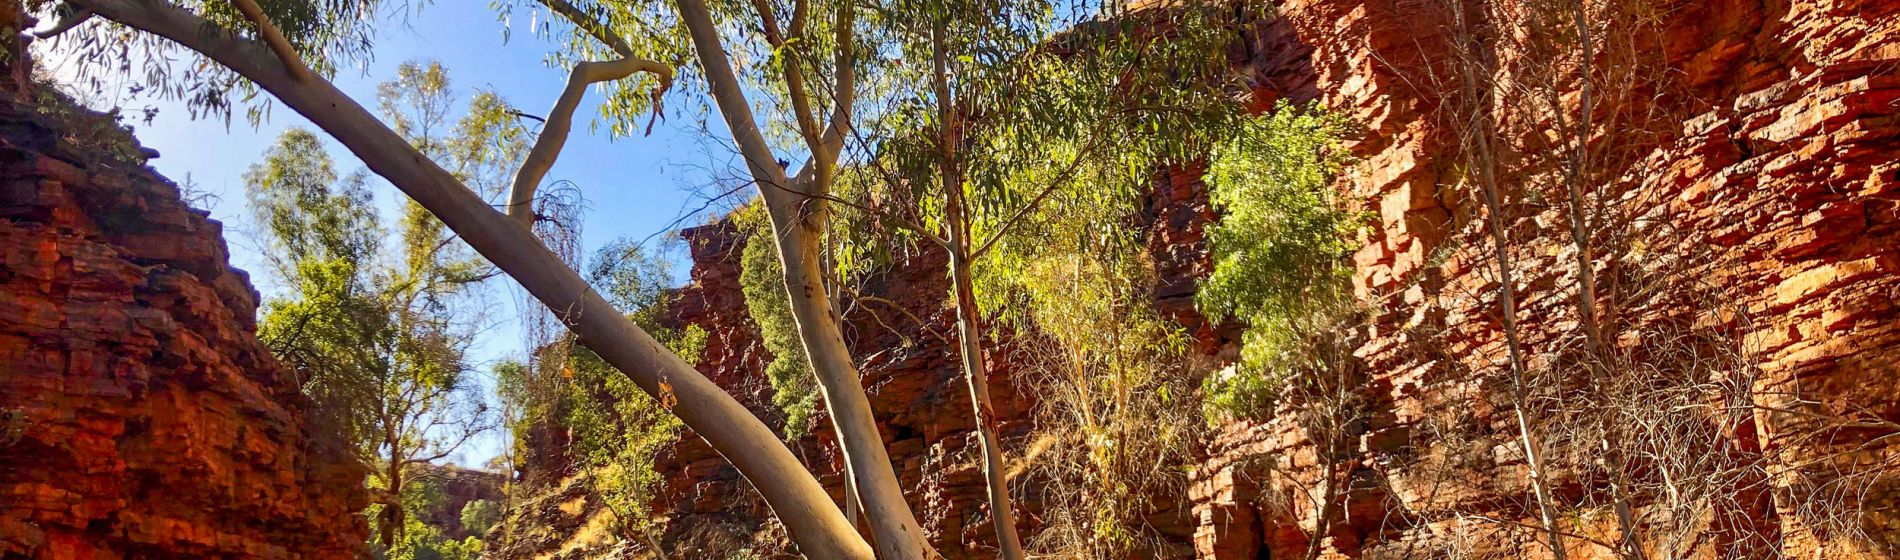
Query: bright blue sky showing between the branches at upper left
[[636, 187]]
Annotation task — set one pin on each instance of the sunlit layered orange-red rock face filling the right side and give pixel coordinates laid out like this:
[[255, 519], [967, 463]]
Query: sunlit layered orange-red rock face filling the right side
[[1766, 176]]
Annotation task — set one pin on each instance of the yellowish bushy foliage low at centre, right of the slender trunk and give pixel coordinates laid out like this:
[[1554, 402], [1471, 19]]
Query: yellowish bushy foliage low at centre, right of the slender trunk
[[1118, 413]]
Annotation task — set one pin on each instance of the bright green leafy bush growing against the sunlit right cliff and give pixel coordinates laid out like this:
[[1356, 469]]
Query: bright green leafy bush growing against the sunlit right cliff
[[1280, 250]]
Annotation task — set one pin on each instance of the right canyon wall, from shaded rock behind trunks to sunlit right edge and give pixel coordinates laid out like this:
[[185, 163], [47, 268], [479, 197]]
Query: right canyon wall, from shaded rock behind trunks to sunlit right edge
[[1764, 195]]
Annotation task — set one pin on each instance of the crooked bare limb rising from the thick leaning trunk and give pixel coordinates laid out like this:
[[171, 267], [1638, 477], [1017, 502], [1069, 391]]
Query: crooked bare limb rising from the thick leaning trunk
[[561, 121]]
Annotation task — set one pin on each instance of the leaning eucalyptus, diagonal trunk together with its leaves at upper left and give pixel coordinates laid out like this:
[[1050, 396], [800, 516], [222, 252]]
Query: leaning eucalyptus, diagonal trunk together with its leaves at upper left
[[292, 48]]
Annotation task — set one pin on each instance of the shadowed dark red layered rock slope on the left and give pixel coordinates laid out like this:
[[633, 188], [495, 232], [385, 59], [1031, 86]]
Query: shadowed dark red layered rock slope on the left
[[143, 419]]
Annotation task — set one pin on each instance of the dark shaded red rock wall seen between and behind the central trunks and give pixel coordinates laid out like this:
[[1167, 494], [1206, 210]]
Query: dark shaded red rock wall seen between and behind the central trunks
[[915, 386]]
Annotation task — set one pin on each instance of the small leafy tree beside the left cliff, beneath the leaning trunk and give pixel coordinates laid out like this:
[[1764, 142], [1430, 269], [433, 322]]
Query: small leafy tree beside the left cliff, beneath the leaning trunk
[[381, 341]]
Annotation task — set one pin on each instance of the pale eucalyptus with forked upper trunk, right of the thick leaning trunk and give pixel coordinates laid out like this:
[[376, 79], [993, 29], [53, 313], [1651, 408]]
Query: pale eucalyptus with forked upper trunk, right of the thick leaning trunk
[[801, 62]]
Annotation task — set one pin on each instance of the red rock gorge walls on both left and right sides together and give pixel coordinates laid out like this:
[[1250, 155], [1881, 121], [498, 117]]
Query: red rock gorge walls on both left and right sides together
[[1749, 240]]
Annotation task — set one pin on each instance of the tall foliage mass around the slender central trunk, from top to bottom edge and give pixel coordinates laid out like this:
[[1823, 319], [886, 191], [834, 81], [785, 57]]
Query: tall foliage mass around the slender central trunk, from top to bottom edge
[[1025, 136]]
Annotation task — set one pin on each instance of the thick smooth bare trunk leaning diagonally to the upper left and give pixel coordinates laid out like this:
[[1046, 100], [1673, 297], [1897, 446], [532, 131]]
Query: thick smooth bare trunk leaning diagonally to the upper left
[[812, 519]]
